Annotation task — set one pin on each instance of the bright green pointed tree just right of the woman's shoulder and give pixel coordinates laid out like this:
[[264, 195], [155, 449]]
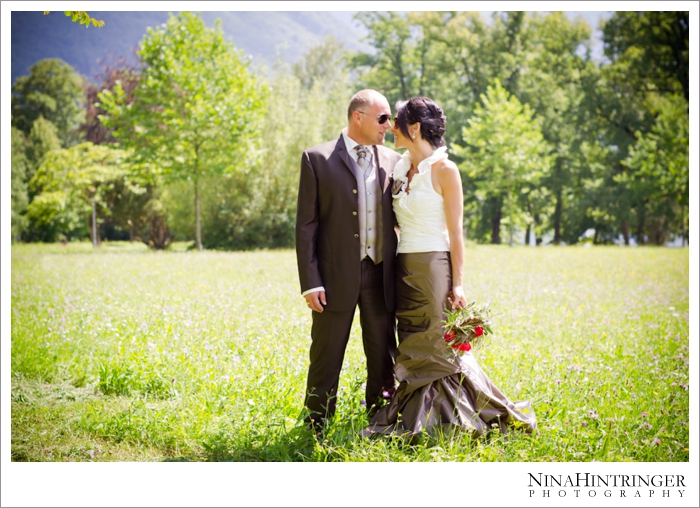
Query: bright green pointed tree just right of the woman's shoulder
[[505, 157]]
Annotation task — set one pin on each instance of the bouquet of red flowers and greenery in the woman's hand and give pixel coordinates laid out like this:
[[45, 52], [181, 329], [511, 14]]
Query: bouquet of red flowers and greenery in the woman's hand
[[467, 328]]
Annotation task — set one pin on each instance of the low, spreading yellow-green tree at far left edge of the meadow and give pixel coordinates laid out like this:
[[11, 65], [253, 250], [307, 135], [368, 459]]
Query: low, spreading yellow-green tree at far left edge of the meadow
[[74, 183]]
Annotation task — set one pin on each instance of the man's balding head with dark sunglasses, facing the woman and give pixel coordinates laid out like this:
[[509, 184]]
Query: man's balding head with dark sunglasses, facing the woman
[[366, 111]]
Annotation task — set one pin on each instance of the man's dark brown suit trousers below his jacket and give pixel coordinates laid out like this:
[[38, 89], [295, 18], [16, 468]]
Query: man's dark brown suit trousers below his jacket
[[330, 332]]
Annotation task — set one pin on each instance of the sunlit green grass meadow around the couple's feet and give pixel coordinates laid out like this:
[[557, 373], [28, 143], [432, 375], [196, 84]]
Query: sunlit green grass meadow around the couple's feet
[[122, 354]]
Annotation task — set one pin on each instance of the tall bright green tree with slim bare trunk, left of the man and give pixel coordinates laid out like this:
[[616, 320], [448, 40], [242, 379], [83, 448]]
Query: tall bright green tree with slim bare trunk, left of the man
[[197, 109]]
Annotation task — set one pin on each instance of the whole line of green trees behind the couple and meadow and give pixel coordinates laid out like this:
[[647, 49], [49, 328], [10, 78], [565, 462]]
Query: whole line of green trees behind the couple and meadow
[[191, 144]]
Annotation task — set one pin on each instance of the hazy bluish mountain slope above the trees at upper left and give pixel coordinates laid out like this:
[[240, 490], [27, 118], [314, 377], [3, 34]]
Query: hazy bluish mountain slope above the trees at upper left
[[264, 35]]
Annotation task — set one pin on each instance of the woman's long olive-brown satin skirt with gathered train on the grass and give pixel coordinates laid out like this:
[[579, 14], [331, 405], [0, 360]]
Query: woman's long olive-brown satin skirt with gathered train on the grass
[[437, 388]]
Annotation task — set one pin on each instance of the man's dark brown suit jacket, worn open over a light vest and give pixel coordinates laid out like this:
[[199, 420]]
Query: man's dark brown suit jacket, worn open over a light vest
[[327, 232]]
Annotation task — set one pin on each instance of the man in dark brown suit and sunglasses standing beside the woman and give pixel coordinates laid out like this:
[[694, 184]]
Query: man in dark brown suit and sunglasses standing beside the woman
[[346, 246]]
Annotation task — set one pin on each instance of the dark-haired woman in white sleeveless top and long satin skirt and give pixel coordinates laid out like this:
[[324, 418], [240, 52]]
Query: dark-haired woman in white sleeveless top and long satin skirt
[[437, 388]]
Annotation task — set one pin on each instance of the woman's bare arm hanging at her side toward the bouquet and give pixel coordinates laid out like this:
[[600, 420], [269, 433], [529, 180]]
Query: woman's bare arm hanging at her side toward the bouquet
[[449, 184]]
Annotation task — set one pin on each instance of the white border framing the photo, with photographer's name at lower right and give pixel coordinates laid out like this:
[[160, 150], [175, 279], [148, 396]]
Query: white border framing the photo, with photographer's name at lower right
[[345, 484]]
